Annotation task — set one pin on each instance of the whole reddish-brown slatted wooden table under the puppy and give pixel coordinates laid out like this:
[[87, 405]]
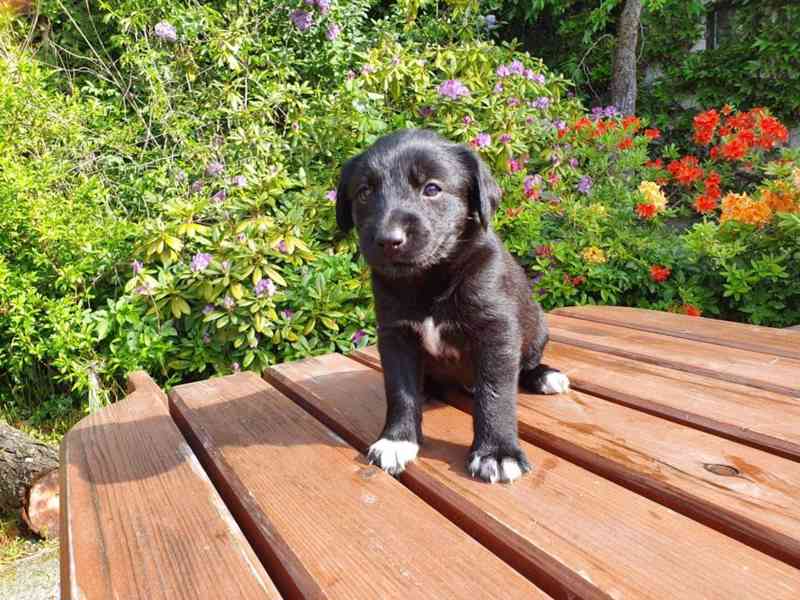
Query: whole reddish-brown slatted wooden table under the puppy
[[672, 471]]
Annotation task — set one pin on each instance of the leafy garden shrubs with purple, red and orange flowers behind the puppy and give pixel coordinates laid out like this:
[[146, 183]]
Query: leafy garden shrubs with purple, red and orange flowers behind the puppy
[[167, 171]]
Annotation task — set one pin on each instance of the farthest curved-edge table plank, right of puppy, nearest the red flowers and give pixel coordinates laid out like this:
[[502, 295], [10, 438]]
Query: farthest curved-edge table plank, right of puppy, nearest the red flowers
[[768, 340]]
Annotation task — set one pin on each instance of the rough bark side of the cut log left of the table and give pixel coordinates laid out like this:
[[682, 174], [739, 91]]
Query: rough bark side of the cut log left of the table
[[22, 460]]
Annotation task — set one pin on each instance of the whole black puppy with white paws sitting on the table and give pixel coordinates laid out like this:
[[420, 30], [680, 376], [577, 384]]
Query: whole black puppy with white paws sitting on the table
[[452, 304]]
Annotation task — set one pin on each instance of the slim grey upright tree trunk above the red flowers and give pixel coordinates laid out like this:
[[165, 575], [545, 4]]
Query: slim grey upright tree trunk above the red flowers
[[623, 82]]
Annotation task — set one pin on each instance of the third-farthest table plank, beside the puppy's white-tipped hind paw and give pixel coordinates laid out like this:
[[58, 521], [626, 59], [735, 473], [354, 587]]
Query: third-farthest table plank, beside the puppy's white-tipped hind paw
[[759, 418]]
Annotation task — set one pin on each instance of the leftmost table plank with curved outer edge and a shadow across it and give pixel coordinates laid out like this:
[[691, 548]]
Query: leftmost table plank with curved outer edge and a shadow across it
[[140, 518]]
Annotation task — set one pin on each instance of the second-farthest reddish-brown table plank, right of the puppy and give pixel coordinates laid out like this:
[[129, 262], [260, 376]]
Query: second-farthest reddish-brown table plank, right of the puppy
[[774, 373]]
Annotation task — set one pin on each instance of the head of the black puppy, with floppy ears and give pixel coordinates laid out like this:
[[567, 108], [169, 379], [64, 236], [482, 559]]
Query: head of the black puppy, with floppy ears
[[414, 198]]
